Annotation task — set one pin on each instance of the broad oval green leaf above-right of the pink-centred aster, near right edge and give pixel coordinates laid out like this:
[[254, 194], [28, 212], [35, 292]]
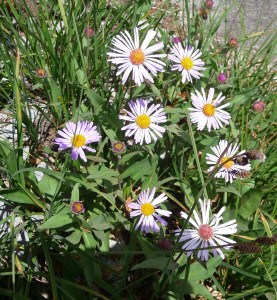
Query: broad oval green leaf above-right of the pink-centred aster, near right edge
[[250, 202]]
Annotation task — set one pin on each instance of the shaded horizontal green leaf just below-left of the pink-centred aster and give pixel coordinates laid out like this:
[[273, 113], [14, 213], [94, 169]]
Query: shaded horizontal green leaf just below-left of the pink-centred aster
[[158, 263]]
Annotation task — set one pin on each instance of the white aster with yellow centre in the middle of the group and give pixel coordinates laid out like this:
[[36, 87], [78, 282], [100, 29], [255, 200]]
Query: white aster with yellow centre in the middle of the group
[[143, 121]]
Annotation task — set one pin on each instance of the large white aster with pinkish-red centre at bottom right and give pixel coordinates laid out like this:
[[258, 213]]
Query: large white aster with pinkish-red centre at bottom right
[[206, 233]]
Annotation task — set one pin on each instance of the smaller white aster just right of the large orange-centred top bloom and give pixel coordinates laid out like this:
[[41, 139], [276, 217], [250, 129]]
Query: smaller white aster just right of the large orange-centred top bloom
[[187, 61]]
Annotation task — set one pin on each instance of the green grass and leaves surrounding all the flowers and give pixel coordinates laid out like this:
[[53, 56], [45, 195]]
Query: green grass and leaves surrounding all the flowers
[[98, 254]]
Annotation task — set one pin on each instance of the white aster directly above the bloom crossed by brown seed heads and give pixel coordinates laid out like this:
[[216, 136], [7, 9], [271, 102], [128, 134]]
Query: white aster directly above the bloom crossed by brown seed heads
[[206, 111]]
